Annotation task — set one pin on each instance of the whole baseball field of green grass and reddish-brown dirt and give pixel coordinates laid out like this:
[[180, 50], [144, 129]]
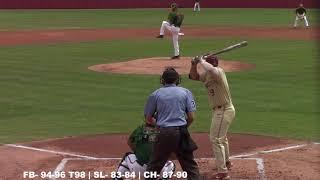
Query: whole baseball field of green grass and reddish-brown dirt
[[59, 114]]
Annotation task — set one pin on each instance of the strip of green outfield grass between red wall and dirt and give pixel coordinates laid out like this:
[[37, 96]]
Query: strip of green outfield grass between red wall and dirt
[[55, 19]]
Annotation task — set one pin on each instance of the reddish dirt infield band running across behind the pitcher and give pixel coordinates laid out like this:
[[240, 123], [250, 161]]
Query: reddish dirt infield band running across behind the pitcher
[[24, 37]]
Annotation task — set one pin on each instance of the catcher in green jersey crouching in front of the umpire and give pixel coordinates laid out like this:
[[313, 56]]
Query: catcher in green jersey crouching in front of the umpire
[[140, 141]]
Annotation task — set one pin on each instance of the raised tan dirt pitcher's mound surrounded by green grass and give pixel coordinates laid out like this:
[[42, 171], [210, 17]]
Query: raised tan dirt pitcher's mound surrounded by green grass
[[156, 65]]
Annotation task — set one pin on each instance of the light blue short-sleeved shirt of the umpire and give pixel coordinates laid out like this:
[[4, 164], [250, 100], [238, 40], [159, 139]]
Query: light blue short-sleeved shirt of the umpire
[[170, 103]]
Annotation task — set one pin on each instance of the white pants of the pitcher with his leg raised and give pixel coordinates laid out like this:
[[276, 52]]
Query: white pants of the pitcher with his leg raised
[[175, 35]]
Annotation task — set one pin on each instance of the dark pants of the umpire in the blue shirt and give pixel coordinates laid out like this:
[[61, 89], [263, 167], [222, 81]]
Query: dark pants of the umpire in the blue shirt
[[168, 141]]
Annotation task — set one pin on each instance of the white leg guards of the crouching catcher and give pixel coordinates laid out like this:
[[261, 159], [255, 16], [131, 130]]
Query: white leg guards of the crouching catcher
[[129, 164]]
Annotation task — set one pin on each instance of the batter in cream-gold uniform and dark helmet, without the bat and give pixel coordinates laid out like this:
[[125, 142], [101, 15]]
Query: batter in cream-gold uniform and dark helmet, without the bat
[[223, 112]]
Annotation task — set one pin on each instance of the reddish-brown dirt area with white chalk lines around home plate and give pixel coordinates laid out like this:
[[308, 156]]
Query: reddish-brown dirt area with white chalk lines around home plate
[[254, 157]]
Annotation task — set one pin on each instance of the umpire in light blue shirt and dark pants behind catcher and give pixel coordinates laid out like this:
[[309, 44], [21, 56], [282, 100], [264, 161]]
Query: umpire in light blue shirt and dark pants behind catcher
[[173, 107]]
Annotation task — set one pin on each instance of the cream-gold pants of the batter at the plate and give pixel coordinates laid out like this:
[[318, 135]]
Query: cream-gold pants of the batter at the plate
[[221, 120]]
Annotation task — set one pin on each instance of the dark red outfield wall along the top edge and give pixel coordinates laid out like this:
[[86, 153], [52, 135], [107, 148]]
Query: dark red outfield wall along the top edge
[[117, 4]]
